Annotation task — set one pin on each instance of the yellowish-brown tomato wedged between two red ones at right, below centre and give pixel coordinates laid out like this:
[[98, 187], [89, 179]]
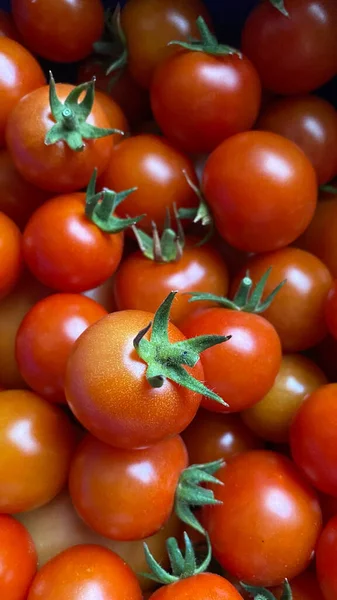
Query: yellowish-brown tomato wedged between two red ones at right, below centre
[[271, 417]]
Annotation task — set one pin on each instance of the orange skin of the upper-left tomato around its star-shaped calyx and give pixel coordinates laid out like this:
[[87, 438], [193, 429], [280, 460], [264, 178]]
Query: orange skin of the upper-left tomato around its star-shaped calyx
[[54, 168]]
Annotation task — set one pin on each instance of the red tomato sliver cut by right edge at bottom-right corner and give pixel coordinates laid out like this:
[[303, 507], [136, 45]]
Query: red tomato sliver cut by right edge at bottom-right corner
[[326, 554]]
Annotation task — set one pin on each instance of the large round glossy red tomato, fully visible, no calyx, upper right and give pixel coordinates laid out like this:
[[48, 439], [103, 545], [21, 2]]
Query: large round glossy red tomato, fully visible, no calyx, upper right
[[273, 203]]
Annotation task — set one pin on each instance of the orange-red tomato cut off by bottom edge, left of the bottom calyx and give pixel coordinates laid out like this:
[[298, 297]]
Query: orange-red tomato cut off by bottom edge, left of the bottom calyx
[[81, 571]]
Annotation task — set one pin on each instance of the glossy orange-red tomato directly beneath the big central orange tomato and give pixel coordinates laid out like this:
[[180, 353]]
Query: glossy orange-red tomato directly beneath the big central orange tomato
[[126, 494]]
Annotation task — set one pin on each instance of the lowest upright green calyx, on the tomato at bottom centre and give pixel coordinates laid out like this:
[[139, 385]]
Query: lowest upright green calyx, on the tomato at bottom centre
[[182, 565]]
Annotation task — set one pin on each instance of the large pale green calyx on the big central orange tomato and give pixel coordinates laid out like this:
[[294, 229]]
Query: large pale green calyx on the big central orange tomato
[[166, 360]]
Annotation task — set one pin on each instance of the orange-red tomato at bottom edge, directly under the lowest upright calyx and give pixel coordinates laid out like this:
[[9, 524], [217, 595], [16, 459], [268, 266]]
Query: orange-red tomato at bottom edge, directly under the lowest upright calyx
[[204, 586]]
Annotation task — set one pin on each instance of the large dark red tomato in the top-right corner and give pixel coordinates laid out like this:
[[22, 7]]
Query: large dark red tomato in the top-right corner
[[294, 54]]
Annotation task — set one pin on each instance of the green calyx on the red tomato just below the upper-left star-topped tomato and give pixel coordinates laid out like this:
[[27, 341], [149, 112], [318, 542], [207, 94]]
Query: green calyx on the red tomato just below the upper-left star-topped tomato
[[100, 208]]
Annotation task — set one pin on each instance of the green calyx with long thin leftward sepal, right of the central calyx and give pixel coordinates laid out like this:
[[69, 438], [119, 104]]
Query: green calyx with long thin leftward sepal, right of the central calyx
[[247, 298]]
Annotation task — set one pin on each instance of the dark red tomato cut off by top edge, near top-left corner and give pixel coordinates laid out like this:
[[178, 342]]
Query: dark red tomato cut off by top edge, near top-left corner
[[61, 31]]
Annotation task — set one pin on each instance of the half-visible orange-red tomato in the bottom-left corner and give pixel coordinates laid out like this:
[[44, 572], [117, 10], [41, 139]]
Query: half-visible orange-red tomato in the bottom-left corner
[[18, 559]]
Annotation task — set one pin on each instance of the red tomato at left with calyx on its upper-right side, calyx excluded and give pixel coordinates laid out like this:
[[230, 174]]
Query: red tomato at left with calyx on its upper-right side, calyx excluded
[[59, 239]]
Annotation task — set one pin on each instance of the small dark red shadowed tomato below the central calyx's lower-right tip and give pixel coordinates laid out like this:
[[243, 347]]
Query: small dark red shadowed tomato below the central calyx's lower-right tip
[[211, 436]]
